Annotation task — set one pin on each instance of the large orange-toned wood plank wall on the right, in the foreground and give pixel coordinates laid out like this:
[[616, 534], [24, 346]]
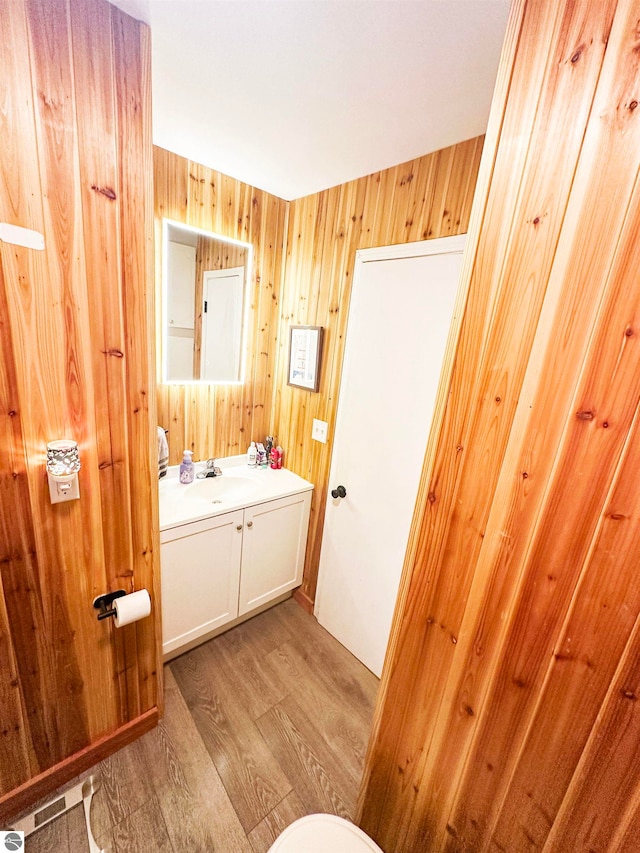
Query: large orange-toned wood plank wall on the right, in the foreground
[[508, 713]]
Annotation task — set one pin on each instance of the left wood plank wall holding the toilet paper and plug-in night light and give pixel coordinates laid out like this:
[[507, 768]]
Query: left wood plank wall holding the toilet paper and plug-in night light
[[75, 325]]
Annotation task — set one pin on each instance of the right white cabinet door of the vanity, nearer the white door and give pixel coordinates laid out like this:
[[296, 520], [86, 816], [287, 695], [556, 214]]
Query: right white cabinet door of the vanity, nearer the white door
[[273, 547]]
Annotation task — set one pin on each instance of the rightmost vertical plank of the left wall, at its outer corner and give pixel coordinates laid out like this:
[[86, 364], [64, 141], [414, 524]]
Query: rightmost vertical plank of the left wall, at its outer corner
[[132, 55]]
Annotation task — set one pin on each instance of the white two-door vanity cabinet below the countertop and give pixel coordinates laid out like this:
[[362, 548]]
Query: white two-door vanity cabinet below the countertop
[[221, 569]]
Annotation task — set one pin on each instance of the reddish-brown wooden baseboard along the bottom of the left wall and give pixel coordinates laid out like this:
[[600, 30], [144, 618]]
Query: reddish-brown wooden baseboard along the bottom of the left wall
[[47, 782]]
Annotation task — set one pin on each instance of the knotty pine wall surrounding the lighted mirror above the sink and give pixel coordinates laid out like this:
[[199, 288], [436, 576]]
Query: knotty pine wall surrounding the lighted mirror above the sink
[[222, 420]]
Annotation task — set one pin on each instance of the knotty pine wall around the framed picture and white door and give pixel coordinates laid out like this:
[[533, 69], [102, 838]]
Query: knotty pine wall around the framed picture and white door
[[423, 199]]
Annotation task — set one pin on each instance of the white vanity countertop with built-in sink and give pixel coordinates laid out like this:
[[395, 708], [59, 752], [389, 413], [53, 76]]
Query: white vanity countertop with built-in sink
[[237, 487]]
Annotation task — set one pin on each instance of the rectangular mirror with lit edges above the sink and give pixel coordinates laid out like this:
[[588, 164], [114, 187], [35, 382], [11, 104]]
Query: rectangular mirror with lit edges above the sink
[[204, 305]]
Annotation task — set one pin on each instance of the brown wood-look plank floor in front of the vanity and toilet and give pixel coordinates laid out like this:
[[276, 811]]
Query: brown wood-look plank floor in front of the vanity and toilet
[[262, 725]]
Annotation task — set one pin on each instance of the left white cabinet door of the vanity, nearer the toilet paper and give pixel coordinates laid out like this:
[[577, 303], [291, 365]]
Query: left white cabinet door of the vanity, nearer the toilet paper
[[200, 576]]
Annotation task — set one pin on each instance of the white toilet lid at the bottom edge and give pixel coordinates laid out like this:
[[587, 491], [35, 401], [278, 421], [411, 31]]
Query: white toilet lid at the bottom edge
[[321, 833]]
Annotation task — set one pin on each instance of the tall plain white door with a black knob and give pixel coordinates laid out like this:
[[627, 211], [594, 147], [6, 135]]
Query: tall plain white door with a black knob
[[401, 311]]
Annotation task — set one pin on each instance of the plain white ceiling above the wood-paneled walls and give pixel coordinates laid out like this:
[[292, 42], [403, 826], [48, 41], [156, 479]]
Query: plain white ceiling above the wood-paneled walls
[[294, 96]]
